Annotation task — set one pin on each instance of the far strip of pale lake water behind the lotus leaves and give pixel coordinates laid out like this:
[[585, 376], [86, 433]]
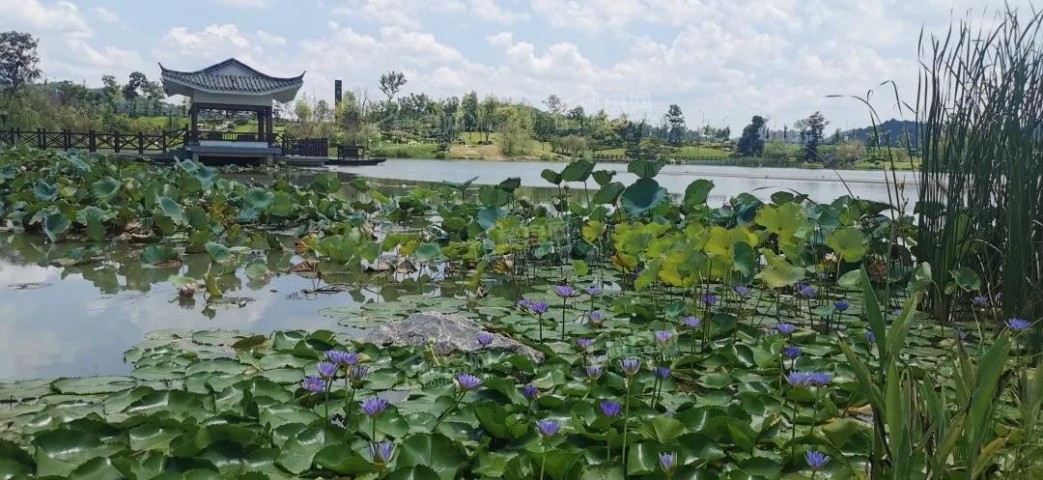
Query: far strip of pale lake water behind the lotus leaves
[[819, 185]]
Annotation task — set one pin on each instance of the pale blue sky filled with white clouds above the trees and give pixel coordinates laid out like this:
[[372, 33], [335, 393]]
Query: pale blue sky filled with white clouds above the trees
[[721, 61]]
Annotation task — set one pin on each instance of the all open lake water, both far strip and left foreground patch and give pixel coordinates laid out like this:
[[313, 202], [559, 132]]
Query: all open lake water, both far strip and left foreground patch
[[79, 321]]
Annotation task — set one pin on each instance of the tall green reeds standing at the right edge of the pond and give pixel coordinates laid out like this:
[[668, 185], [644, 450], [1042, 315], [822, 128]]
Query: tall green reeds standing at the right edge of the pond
[[980, 110]]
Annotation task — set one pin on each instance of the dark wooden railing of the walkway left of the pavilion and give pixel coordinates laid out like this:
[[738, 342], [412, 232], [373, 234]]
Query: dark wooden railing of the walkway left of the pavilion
[[140, 143]]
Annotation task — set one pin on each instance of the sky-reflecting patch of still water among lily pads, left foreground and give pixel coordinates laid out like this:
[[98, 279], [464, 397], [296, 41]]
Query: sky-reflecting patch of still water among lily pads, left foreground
[[78, 321]]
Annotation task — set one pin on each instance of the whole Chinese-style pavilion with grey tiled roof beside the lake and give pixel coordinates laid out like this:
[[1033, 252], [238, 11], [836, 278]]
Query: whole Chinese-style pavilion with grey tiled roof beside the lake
[[232, 86]]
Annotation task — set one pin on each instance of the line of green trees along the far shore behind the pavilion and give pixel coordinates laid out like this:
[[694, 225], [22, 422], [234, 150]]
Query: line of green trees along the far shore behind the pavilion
[[397, 118]]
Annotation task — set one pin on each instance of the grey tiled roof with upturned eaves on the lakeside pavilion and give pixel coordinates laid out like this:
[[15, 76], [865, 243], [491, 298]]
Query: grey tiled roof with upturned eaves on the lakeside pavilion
[[230, 77]]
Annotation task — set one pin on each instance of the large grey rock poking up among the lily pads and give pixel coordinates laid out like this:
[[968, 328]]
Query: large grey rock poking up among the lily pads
[[450, 334]]
